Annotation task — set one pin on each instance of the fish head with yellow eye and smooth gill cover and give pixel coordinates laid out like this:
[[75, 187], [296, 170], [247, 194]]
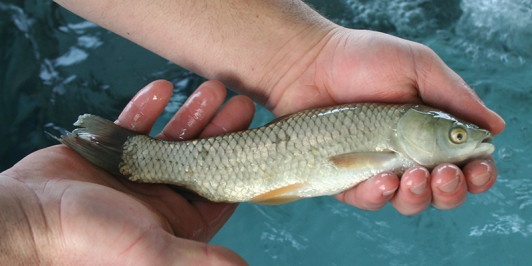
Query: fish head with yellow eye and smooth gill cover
[[430, 137]]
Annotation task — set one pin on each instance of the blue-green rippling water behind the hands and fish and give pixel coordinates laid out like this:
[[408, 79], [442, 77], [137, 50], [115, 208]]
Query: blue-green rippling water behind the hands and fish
[[56, 66]]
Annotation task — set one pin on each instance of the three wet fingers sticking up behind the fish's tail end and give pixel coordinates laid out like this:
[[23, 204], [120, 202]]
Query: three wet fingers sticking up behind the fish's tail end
[[194, 118]]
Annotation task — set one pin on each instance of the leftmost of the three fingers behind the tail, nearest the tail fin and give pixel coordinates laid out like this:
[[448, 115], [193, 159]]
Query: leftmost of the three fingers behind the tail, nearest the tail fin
[[141, 112]]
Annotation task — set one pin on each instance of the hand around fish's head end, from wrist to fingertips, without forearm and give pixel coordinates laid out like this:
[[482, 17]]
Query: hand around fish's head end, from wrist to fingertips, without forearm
[[351, 66]]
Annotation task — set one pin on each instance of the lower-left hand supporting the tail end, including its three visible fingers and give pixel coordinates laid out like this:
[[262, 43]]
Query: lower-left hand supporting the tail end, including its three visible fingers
[[74, 211]]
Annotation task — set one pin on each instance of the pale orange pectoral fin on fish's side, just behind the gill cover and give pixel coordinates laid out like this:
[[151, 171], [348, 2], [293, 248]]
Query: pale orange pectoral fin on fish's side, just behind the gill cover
[[364, 159]]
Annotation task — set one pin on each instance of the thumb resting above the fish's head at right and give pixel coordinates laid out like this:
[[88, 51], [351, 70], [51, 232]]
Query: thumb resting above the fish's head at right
[[441, 87]]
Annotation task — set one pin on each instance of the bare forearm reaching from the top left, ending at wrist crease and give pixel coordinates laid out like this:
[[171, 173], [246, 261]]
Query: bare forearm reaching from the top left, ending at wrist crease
[[255, 47]]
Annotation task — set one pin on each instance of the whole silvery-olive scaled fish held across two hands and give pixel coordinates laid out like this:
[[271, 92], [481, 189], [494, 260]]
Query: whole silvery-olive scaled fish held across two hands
[[315, 152]]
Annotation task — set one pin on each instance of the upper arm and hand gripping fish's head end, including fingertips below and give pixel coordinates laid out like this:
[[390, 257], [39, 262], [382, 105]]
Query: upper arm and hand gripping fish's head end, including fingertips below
[[289, 58]]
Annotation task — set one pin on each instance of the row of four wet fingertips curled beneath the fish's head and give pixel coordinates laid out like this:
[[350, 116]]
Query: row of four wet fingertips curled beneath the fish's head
[[445, 188]]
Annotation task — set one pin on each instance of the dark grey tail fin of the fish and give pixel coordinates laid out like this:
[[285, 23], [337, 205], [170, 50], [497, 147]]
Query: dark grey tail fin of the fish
[[98, 140]]
